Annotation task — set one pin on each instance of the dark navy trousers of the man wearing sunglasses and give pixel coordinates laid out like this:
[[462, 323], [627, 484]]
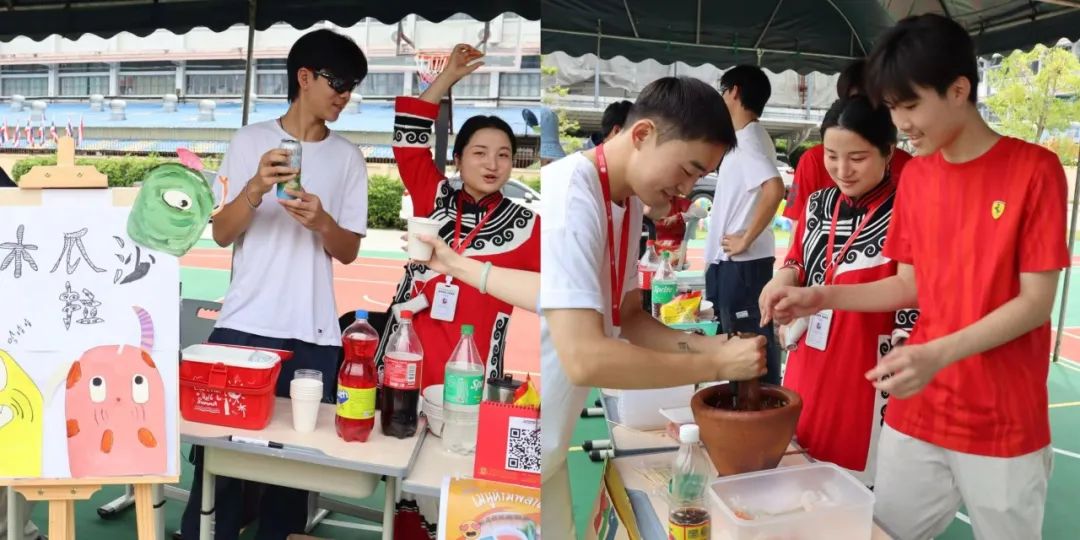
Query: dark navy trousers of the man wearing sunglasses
[[282, 511]]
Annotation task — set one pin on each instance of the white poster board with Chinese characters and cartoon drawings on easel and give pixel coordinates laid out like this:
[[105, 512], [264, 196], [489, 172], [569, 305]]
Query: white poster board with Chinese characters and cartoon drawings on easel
[[90, 341]]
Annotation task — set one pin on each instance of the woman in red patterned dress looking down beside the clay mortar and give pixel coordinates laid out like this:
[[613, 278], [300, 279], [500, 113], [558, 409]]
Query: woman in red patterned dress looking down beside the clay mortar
[[847, 224]]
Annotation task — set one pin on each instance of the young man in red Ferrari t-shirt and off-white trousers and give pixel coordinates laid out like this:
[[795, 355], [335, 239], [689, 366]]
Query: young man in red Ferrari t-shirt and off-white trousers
[[979, 234]]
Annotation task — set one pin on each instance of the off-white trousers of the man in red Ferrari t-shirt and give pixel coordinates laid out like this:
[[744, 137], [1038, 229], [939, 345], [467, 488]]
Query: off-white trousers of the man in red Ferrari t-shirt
[[921, 487]]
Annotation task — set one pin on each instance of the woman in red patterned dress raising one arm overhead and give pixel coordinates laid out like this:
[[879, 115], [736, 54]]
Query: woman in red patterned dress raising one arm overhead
[[477, 220]]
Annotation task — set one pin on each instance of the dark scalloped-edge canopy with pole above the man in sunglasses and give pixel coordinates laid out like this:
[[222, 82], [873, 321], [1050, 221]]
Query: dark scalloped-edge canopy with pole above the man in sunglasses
[[73, 19]]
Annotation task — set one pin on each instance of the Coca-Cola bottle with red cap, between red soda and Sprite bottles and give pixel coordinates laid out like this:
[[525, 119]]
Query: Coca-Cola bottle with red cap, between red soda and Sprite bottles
[[402, 367]]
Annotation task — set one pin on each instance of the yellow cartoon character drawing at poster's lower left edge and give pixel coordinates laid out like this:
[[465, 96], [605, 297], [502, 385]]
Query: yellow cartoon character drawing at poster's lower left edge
[[21, 422]]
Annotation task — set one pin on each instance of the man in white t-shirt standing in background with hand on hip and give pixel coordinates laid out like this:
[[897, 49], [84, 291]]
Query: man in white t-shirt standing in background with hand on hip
[[740, 249]]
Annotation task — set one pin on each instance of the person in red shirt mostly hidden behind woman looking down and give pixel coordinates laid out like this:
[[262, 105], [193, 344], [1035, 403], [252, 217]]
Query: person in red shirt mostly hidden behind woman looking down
[[811, 173]]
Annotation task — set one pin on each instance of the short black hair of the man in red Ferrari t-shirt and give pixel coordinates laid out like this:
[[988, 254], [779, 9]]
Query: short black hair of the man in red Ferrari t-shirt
[[925, 50]]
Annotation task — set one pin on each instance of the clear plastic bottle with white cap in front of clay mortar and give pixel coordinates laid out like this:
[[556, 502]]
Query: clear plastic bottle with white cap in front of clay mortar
[[688, 512]]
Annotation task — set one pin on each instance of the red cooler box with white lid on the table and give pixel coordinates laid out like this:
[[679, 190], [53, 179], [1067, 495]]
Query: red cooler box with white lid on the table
[[229, 386]]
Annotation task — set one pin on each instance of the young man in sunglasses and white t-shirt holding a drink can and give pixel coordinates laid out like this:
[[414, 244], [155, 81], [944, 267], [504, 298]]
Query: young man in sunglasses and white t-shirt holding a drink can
[[282, 291]]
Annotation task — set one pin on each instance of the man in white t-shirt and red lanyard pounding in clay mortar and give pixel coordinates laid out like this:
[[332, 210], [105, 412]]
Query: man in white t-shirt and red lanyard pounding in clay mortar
[[678, 131]]
